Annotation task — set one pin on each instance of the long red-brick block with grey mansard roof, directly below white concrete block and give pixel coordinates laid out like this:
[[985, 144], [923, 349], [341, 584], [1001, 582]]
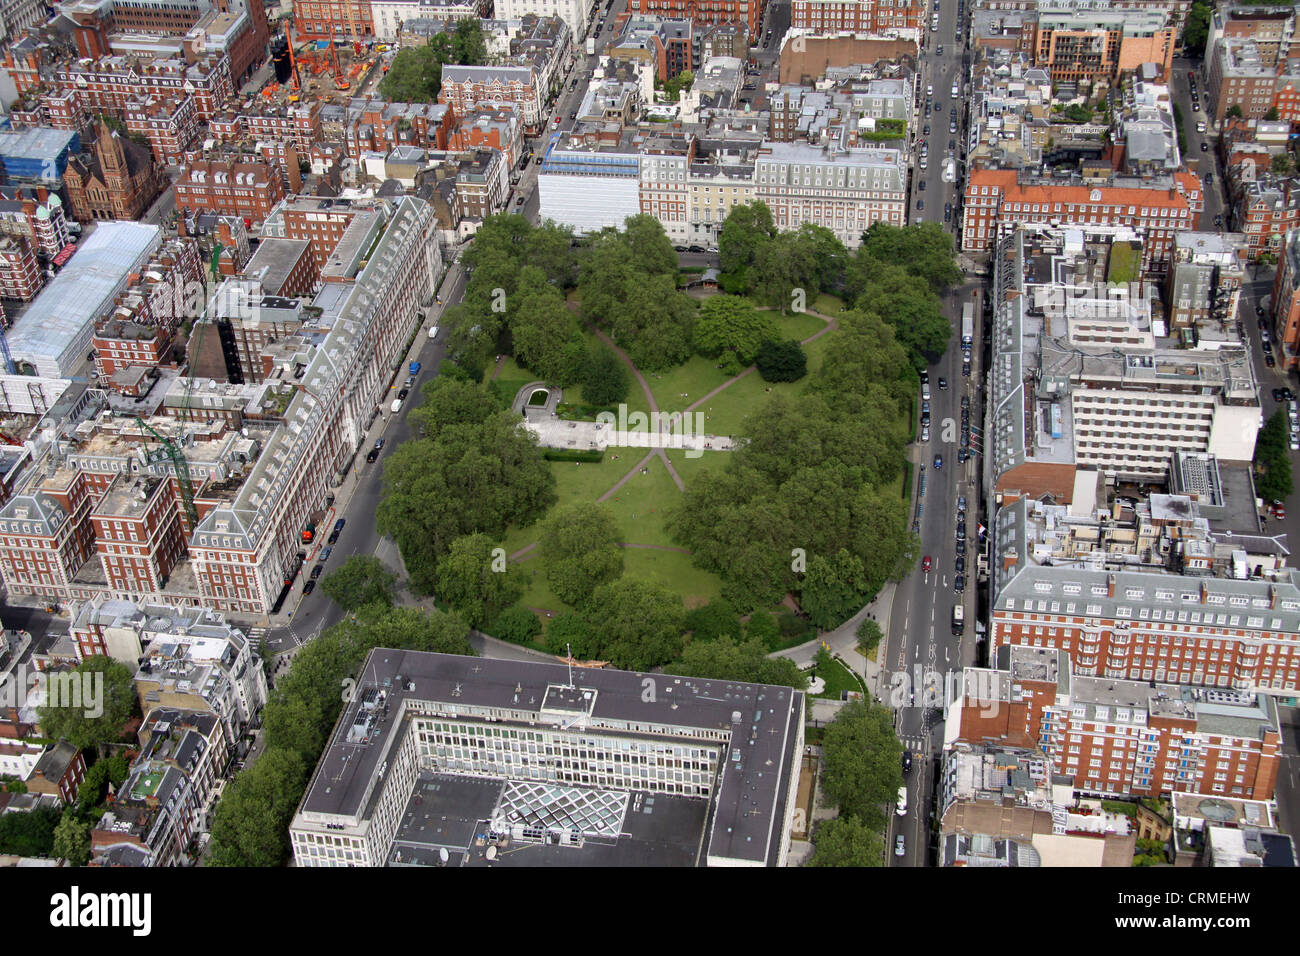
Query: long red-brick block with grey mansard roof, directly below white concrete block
[[1147, 592]]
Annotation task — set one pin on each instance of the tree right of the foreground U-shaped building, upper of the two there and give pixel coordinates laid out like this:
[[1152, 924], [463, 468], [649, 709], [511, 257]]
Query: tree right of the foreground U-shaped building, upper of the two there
[[863, 759]]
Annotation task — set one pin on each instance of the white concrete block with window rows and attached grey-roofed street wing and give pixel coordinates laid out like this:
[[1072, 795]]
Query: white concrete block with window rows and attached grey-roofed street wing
[[1084, 377]]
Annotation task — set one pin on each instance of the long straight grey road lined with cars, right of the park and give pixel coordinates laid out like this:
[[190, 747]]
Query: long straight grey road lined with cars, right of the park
[[922, 648]]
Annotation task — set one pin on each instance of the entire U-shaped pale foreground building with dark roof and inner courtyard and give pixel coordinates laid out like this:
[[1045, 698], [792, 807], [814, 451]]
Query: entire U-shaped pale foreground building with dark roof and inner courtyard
[[501, 742]]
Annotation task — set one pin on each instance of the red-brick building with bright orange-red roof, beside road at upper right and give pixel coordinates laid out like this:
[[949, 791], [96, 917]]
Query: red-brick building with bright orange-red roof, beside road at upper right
[[999, 197]]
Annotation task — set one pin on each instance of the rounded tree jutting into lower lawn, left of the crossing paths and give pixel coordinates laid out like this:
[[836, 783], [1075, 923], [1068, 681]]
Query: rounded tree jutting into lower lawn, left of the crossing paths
[[580, 552]]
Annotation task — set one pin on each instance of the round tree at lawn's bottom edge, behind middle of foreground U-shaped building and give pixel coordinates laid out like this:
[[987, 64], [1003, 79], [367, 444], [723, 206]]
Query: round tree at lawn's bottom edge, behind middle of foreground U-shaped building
[[638, 625]]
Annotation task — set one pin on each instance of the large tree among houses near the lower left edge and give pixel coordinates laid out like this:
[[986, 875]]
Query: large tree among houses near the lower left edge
[[77, 723]]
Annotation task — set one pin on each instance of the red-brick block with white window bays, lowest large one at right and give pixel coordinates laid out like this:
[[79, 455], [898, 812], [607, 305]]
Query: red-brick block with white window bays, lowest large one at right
[[1121, 738]]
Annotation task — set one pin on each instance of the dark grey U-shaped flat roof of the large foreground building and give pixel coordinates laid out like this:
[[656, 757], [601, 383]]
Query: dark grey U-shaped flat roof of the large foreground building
[[760, 725]]
